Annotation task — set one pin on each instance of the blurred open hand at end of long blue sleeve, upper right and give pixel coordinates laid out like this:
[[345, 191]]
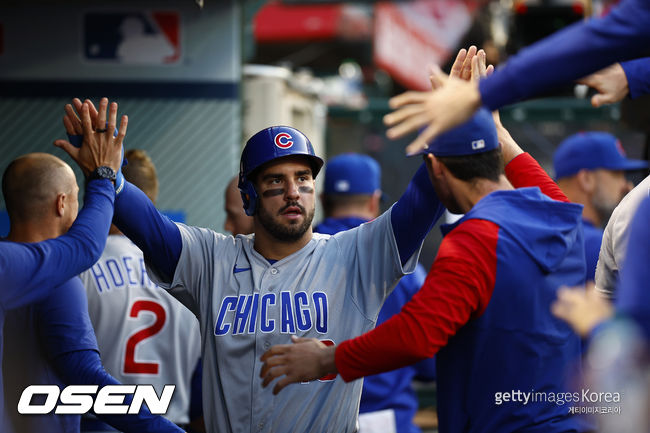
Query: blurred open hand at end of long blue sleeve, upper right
[[452, 102]]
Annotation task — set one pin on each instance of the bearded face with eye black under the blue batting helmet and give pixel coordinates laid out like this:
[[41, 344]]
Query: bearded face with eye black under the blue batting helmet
[[286, 198]]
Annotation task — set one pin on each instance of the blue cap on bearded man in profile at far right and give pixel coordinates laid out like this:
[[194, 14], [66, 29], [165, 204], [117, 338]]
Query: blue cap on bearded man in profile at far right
[[590, 151]]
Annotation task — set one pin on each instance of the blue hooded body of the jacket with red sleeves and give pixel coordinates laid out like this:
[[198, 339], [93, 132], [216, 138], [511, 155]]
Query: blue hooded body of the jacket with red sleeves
[[516, 344]]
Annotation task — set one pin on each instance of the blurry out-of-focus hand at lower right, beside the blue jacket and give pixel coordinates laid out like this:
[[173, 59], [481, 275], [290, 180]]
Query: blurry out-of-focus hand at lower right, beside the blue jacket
[[582, 309]]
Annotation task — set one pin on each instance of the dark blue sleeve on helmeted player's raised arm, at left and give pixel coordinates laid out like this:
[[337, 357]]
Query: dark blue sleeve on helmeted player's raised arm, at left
[[155, 234]]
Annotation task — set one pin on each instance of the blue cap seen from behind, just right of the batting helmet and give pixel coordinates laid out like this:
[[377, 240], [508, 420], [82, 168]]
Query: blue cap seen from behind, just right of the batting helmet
[[352, 173]]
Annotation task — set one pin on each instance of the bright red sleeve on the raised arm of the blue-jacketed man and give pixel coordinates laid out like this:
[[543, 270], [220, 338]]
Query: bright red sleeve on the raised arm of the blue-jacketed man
[[524, 171]]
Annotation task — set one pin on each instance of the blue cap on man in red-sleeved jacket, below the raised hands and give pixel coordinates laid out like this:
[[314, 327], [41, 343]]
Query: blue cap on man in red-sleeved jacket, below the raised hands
[[477, 135]]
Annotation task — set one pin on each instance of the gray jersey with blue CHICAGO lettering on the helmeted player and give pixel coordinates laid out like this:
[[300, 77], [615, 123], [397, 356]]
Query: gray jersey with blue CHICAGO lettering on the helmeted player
[[331, 289]]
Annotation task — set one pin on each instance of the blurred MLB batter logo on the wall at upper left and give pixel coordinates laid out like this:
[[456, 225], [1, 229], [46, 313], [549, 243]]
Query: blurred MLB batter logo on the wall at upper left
[[138, 37]]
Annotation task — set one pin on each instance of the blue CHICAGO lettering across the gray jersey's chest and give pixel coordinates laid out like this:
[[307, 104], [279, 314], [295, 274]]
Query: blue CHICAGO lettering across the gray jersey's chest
[[246, 314]]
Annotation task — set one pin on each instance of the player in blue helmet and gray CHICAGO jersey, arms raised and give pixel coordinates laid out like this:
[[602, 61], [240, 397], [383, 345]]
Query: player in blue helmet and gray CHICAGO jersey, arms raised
[[251, 292]]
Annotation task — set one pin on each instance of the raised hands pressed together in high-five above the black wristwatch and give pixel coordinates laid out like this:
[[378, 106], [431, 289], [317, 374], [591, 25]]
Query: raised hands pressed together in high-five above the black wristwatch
[[100, 147]]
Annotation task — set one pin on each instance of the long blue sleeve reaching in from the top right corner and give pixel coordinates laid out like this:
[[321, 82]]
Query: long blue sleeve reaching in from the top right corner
[[575, 52]]
